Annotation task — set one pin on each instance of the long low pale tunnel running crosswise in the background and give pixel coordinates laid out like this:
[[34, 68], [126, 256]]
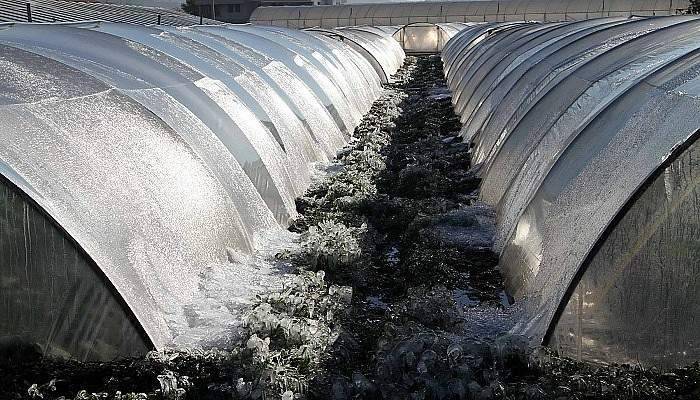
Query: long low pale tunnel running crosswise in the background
[[402, 13]]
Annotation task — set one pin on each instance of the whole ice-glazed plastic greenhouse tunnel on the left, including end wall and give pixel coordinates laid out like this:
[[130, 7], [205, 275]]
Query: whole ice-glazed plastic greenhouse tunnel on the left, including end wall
[[133, 157]]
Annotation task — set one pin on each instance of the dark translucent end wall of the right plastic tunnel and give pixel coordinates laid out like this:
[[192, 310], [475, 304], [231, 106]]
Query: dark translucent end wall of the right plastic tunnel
[[638, 298]]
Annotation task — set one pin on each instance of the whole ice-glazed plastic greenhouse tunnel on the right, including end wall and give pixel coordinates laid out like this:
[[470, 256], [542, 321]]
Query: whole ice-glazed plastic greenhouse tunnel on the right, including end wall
[[584, 134]]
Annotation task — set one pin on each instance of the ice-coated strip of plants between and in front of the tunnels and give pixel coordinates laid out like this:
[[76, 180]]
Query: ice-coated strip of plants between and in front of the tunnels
[[396, 293]]
